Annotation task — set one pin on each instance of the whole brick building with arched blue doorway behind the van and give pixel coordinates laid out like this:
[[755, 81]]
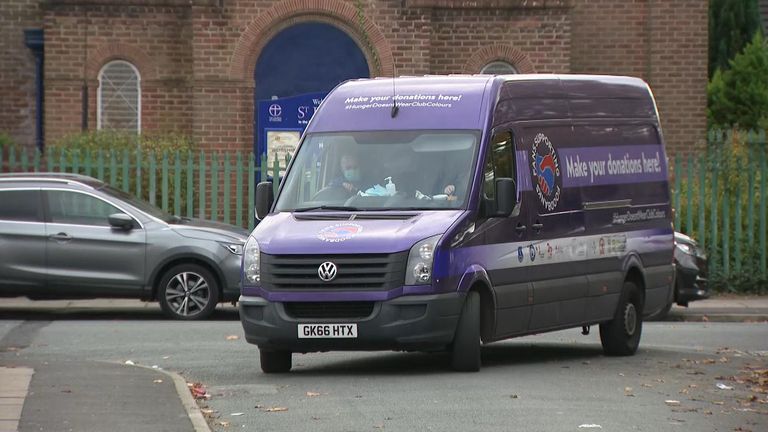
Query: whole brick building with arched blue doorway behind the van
[[198, 66]]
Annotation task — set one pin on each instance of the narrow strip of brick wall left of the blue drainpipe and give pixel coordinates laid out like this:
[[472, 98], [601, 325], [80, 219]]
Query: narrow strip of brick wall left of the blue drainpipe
[[17, 70]]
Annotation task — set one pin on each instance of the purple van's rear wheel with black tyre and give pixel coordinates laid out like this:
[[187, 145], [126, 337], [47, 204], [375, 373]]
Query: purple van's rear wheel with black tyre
[[621, 335]]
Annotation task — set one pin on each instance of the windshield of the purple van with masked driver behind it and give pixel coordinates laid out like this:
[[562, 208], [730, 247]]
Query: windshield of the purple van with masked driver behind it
[[388, 170]]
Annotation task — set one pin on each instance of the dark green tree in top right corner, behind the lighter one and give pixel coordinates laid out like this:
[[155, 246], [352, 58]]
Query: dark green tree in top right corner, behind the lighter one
[[732, 23]]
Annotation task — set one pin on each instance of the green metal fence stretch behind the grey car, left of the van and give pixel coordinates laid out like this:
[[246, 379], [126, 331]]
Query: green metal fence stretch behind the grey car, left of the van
[[209, 185]]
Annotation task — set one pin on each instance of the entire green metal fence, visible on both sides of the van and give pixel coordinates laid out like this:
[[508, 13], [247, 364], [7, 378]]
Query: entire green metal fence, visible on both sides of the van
[[719, 193]]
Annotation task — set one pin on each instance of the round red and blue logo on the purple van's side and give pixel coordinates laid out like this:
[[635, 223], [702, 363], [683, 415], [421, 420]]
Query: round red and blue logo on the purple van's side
[[545, 169]]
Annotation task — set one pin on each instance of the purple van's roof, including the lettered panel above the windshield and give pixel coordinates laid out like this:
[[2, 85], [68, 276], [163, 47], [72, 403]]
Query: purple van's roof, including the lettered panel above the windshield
[[463, 101]]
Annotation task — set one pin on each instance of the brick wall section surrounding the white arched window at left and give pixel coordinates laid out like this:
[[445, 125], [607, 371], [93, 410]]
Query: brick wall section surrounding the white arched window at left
[[81, 37]]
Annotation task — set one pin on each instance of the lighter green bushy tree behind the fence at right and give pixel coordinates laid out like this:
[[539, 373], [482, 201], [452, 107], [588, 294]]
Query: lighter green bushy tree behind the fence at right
[[738, 96]]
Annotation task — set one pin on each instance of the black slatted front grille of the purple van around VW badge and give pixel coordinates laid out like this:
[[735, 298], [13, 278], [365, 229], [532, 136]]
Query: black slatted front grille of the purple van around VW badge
[[363, 272]]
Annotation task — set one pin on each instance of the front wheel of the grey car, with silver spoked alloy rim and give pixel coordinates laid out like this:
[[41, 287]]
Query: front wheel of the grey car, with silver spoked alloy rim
[[188, 292]]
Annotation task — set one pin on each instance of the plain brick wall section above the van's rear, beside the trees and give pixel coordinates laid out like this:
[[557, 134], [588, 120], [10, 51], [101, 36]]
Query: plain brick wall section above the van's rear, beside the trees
[[661, 41]]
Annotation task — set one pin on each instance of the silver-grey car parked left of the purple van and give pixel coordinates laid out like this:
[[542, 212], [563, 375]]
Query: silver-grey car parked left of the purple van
[[68, 236]]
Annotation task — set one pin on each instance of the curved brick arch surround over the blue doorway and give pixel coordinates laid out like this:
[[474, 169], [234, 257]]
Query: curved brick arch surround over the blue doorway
[[341, 14]]
